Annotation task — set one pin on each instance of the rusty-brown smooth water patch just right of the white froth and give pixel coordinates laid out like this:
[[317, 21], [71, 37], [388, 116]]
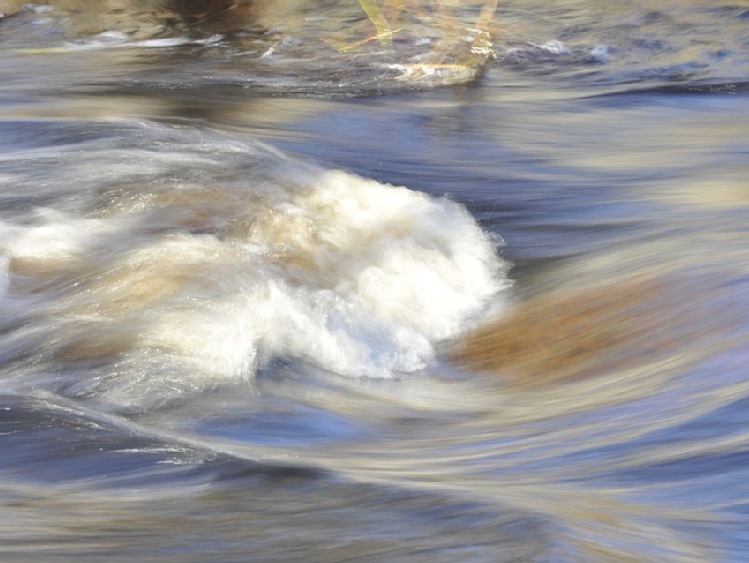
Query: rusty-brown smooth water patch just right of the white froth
[[575, 334]]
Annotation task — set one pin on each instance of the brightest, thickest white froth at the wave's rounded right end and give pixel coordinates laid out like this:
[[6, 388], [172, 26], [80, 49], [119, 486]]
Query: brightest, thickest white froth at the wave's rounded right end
[[414, 261]]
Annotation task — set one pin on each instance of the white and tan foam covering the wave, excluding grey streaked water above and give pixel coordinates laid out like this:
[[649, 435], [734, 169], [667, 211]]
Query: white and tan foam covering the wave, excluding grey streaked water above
[[202, 285]]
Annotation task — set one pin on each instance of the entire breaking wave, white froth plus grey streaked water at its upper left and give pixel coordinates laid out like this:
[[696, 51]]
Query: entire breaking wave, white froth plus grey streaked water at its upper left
[[154, 261]]
